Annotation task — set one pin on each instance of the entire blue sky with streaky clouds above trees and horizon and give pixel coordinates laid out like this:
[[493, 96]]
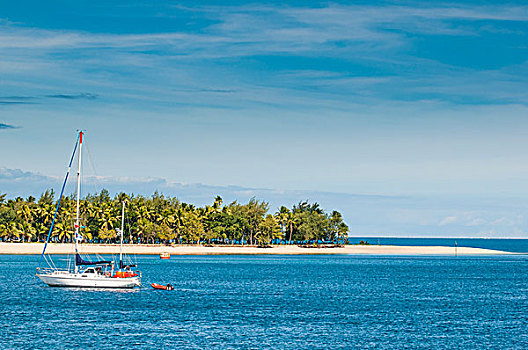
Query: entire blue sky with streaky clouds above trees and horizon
[[409, 117]]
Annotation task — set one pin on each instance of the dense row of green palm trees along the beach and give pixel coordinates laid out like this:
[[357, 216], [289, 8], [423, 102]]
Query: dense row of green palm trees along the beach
[[160, 219]]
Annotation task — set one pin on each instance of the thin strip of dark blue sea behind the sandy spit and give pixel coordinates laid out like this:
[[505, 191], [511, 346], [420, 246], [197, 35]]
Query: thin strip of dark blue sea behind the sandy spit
[[508, 245]]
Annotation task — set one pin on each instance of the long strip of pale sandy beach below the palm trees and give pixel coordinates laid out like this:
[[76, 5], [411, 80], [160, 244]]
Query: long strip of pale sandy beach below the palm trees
[[156, 249]]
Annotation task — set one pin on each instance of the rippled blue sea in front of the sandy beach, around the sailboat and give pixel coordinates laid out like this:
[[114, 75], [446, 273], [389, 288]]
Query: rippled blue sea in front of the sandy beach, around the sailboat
[[285, 302]]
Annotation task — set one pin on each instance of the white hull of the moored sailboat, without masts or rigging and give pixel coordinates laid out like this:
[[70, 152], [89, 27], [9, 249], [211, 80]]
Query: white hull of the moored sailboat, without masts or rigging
[[80, 280]]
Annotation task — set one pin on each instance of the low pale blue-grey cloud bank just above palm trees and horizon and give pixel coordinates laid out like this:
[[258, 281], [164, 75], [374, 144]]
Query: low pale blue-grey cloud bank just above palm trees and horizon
[[365, 214]]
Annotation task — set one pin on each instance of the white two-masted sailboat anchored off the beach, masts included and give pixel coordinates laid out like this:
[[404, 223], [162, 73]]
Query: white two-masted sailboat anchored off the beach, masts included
[[83, 273]]
